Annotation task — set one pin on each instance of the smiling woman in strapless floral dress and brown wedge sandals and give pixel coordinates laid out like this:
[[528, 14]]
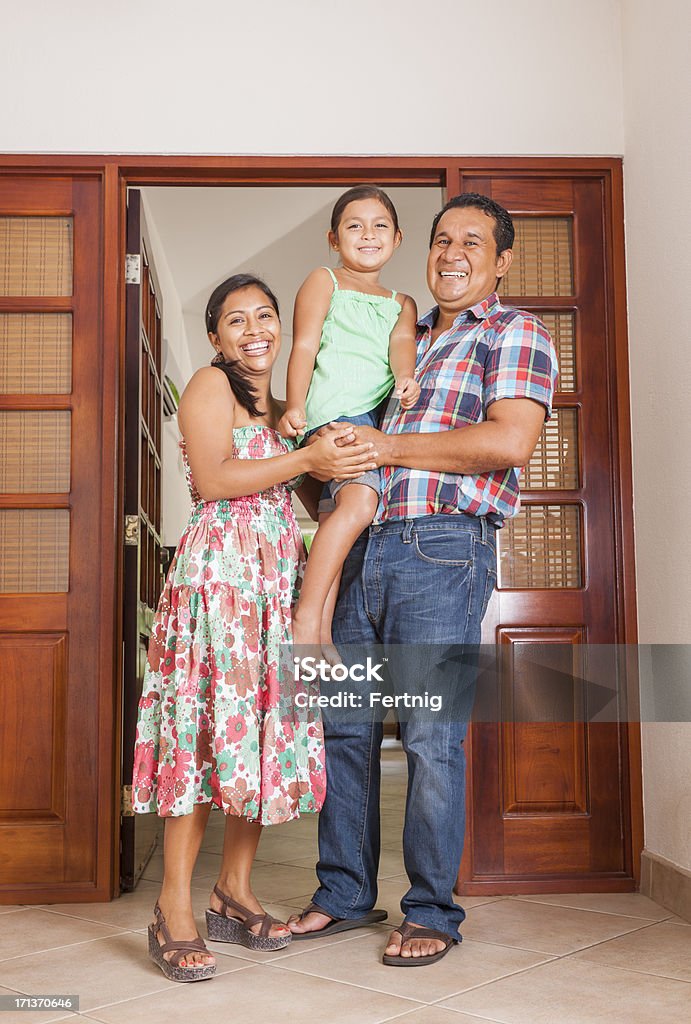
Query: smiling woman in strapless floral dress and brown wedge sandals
[[209, 729]]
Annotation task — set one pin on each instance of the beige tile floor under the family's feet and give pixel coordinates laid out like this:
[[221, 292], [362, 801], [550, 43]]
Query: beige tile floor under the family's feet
[[529, 960]]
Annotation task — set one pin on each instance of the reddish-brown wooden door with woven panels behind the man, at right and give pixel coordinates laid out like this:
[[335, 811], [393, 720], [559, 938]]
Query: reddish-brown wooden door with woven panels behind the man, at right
[[549, 802]]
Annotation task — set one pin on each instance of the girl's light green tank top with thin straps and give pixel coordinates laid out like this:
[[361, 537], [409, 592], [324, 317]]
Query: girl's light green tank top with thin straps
[[353, 373]]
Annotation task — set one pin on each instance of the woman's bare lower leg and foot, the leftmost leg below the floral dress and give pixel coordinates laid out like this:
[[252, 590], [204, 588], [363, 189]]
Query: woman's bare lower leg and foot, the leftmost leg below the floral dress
[[182, 841]]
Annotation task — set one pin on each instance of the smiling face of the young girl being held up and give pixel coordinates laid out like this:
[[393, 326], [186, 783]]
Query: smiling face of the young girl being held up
[[366, 239]]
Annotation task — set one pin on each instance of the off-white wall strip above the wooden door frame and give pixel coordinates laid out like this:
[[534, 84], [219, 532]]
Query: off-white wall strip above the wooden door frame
[[310, 76]]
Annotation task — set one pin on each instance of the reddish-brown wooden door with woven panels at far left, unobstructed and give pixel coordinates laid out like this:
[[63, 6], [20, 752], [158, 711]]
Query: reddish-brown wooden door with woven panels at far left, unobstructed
[[56, 763]]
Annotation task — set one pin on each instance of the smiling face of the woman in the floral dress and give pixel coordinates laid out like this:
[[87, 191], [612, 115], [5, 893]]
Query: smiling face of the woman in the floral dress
[[248, 330]]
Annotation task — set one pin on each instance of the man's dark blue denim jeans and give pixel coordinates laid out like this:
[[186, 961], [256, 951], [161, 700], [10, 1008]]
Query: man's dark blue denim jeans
[[420, 588]]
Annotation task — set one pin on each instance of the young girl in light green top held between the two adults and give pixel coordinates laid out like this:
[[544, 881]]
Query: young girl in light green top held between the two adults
[[354, 342]]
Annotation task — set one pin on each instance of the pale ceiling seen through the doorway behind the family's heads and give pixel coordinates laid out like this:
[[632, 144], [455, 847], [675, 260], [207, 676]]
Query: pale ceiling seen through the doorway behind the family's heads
[[207, 234]]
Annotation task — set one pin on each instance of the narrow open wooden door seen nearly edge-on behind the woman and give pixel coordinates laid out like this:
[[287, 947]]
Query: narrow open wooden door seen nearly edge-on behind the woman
[[143, 568]]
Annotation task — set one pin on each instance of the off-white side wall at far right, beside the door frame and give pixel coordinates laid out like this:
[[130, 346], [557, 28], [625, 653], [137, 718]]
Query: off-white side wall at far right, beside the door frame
[[658, 173]]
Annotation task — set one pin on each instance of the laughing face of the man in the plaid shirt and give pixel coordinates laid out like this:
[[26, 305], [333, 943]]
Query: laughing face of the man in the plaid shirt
[[463, 266]]
